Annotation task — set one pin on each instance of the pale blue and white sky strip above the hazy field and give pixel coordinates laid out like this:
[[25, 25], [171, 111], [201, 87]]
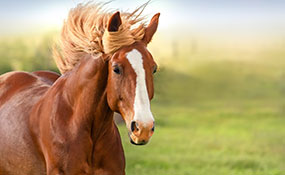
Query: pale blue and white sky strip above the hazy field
[[250, 17]]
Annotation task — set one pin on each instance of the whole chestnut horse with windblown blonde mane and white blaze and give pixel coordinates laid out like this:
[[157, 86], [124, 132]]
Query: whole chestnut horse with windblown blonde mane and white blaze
[[52, 124]]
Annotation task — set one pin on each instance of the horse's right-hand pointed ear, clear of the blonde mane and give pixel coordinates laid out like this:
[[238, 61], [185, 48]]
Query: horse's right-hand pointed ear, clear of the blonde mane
[[151, 28]]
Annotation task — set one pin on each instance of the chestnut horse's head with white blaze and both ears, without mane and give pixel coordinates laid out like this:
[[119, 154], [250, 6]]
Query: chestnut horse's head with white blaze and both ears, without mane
[[130, 82]]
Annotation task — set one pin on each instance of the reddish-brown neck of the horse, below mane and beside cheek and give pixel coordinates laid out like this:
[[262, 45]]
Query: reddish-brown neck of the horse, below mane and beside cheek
[[86, 92]]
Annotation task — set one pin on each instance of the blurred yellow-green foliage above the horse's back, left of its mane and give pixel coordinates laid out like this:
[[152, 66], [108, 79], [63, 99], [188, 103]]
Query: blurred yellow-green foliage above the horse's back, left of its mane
[[26, 53]]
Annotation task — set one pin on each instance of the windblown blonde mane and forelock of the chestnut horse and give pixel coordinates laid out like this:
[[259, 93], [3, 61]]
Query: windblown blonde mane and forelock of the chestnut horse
[[85, 31]]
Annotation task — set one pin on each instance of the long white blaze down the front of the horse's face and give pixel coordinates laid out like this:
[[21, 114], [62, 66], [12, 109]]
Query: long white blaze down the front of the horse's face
[[141, 104]]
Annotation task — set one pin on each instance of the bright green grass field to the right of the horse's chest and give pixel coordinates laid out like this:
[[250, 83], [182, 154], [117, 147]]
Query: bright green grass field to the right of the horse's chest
[[217, 141]]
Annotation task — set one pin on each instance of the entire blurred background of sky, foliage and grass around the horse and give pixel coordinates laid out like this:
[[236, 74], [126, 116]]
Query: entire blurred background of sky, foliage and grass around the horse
[[220, 92]]
